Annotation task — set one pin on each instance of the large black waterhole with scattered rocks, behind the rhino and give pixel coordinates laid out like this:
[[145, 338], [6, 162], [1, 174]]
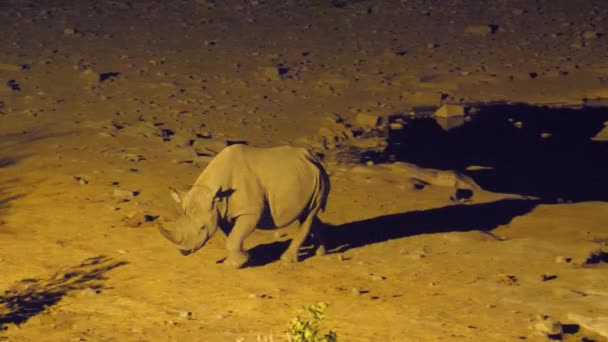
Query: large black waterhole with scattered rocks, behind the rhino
[[537, 151]]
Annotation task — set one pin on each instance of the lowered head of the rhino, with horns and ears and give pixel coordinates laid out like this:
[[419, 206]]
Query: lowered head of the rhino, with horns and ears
[[198, 219]]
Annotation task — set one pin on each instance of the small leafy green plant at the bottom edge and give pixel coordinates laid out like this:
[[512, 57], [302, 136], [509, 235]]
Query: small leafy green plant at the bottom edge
[[307, 330]]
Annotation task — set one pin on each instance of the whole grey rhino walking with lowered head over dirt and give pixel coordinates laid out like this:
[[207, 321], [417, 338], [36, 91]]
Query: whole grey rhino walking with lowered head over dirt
[[246, 187]]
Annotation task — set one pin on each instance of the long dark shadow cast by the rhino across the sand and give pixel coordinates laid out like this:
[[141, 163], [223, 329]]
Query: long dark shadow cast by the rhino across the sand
[[456, 218]]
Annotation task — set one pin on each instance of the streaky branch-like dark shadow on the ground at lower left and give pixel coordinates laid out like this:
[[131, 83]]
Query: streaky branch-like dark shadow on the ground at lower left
[[30, 297]]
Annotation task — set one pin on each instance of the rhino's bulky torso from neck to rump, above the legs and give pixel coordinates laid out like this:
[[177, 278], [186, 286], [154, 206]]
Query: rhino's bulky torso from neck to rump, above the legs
[[289, 180]]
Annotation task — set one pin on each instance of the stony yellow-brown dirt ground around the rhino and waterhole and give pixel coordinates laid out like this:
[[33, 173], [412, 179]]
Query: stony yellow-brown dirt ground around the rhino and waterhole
[[106, 104]]
